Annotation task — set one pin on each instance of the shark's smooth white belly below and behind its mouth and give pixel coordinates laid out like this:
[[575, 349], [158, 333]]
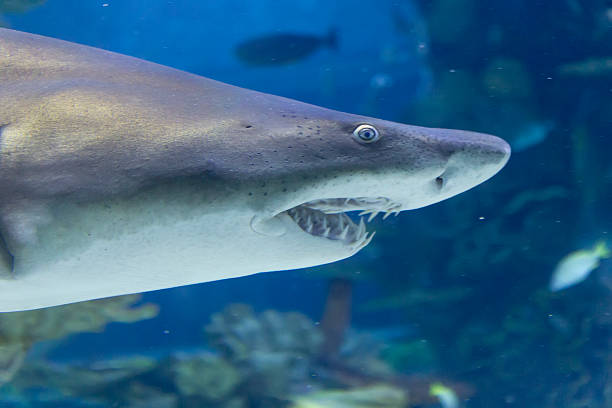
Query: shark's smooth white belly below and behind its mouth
[[101, 250]]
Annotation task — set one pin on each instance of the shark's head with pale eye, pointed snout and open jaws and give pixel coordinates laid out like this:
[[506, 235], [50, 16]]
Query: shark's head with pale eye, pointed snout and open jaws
[[313, 166]]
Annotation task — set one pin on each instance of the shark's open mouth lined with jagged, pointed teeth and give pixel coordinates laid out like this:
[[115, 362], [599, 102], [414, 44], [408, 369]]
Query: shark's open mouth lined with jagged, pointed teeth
[[327, 218]]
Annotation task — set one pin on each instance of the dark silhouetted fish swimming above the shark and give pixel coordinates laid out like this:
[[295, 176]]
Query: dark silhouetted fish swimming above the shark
[[280, 49]]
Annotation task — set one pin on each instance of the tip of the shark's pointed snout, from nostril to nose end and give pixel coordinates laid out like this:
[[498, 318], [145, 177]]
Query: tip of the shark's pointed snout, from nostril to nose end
[[472, 159]]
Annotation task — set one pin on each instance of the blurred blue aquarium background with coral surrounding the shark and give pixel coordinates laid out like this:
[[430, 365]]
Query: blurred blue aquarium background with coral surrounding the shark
[[451, 305]]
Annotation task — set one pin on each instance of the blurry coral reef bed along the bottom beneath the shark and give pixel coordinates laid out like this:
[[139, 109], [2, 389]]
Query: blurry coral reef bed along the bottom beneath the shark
[[265, 360]]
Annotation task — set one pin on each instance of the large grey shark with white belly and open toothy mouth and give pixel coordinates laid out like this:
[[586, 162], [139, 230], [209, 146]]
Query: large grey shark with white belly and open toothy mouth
[[118, 175]]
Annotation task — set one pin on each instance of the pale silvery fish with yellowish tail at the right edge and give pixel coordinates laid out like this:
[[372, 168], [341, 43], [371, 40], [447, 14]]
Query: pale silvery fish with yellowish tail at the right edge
[[576, 267]]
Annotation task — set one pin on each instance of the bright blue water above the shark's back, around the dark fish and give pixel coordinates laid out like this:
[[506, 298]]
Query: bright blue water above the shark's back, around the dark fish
[[200, 37]]
